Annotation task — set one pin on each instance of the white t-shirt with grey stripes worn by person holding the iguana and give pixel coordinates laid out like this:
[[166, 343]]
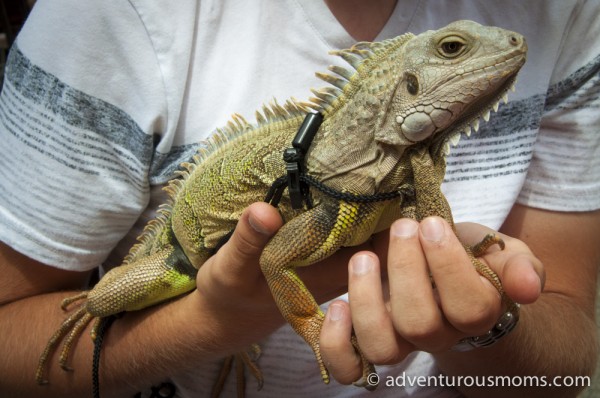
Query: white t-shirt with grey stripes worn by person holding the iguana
[[103, 99]]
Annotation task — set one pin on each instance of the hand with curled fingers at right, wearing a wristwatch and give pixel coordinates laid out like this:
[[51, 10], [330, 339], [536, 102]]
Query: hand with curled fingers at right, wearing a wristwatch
[[404, 314]]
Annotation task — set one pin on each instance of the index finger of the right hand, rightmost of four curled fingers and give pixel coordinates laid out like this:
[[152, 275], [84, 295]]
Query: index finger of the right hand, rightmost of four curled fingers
[[469, 301]]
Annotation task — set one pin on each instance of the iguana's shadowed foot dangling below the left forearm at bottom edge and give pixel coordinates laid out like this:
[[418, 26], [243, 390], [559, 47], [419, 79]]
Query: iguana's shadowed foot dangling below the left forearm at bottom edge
[[245, 359]]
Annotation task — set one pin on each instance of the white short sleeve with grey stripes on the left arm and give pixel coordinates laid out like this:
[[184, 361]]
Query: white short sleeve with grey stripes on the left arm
[[81, 99]]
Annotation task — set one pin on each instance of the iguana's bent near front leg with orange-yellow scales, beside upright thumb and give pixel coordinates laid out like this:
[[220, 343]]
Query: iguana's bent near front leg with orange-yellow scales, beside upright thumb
[[306, 239]]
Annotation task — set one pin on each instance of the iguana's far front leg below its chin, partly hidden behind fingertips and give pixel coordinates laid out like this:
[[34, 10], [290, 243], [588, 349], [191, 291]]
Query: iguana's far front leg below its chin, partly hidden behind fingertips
[[430, 201]]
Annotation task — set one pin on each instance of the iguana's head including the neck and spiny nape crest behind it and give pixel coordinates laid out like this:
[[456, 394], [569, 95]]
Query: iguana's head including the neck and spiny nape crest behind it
[[430, 87]]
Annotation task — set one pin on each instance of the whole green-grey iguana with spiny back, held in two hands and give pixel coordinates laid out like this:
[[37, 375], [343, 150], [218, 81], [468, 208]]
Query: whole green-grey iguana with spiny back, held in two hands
[[388, 120]]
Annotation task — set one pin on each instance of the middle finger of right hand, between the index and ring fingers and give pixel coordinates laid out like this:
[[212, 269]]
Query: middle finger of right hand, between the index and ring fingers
[[415, 311]]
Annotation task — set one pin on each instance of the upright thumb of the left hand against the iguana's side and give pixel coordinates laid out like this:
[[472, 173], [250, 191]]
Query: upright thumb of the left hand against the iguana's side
[[236, 263]]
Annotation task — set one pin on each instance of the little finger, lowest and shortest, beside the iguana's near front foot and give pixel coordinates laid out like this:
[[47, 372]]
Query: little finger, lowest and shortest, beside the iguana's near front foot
[[339, 355]]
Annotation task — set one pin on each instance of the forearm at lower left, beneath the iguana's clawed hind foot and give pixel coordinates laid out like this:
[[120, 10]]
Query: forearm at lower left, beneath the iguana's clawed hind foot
[[139, 349]]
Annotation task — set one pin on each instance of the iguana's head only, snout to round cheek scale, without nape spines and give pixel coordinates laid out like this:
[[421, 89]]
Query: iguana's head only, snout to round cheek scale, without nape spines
[[452, 77]]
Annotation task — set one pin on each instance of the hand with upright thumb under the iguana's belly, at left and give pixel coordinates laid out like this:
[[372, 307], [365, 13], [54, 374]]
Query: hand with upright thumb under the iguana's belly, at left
[[232, 295]]
